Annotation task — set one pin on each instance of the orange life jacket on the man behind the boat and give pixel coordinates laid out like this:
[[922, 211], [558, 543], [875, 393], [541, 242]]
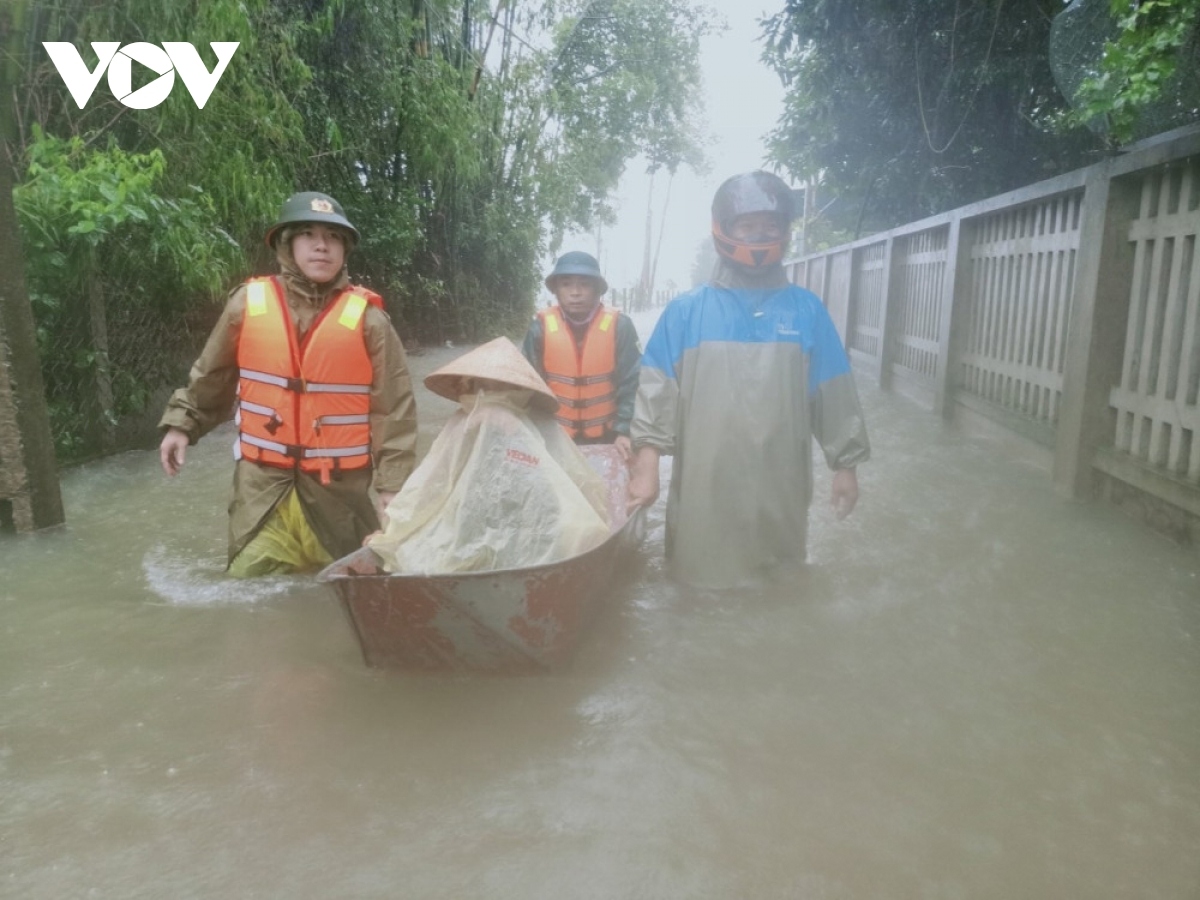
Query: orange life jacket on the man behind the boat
[[584, 379]]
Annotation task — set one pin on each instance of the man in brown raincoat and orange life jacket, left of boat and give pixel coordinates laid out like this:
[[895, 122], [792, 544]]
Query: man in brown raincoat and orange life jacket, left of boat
[[322, 399]]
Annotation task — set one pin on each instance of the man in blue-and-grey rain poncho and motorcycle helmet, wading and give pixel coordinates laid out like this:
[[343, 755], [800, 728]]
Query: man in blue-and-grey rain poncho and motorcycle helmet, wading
[[739, 379]]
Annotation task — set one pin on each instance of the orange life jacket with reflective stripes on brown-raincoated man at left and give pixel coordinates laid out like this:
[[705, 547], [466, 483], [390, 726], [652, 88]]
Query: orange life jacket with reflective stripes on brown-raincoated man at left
[[304, 405]]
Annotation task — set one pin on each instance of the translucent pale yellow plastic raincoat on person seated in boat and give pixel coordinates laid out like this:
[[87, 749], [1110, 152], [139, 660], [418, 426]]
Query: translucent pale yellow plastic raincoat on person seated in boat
[[502, 488]]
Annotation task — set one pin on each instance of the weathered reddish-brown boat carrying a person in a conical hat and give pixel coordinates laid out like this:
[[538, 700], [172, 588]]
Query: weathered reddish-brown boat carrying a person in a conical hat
[[515, 621]]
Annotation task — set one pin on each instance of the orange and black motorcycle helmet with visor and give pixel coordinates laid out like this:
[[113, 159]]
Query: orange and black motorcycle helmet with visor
[[742, 195]]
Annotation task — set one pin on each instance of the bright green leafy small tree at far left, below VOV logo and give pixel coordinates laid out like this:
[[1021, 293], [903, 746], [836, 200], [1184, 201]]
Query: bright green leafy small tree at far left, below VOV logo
[[113, 265]]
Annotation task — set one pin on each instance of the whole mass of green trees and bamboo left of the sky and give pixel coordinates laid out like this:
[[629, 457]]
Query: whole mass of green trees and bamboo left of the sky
[[464, 140]]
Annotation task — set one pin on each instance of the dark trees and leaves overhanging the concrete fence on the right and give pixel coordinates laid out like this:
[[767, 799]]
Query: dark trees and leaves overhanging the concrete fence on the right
[[905, 109]]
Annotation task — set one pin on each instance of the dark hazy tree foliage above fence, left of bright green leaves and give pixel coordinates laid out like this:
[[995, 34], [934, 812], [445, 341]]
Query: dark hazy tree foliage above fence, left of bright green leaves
[[904, 110]]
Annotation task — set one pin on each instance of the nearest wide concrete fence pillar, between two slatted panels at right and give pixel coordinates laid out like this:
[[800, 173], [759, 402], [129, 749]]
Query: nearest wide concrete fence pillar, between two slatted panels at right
[[1100, 313]]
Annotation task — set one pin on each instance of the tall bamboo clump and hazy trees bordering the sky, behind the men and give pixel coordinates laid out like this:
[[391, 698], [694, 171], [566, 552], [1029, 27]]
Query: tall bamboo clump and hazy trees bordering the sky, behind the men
[[467, 140]]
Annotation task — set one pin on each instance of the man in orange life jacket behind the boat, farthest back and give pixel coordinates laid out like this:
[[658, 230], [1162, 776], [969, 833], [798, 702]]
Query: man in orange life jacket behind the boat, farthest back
[[589, 353]]
